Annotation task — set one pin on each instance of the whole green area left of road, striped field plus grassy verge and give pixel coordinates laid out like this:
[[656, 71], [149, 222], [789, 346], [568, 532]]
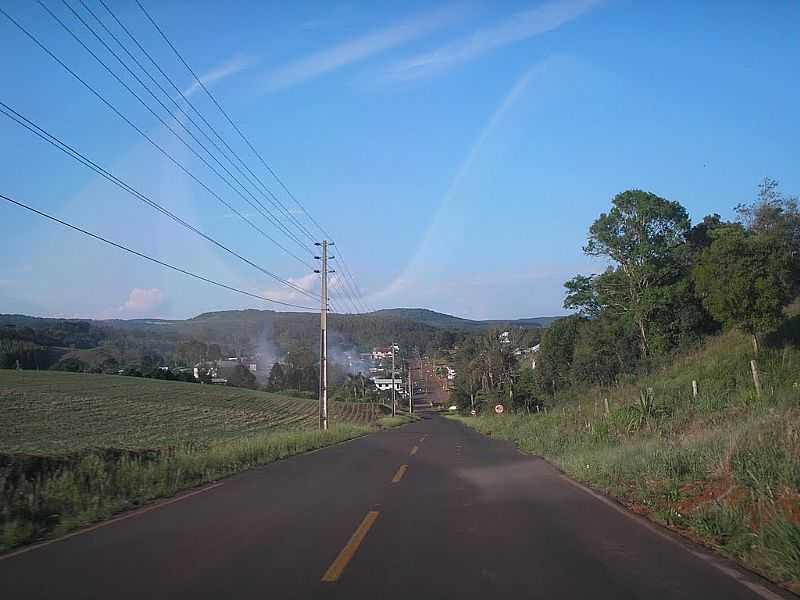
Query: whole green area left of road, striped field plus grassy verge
[[77, 448]]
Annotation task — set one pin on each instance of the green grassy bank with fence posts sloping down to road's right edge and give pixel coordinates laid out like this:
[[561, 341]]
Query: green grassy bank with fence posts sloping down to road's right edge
[[723, 468]]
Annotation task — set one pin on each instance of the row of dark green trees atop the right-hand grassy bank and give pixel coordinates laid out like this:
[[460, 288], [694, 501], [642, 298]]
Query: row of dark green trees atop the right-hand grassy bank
[[667, 284]]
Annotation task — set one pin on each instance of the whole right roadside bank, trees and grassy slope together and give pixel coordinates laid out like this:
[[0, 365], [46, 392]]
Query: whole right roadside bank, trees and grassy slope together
[[690, 337]]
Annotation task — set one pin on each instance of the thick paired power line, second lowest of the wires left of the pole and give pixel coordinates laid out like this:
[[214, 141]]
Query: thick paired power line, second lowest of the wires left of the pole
[[87, 162]]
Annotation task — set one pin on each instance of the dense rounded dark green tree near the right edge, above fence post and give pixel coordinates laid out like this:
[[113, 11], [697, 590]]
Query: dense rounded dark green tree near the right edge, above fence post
[[744, 280]]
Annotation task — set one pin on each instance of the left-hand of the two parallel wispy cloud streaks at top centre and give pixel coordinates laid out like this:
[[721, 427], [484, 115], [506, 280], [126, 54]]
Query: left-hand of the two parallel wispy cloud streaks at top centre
[[355, 50]]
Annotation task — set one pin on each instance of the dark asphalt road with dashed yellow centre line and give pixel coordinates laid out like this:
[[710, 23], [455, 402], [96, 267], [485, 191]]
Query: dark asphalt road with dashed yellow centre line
[[468, 517]]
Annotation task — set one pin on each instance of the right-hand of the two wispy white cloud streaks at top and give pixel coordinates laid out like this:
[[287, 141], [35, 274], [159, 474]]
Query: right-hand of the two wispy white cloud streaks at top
[[518, 27]]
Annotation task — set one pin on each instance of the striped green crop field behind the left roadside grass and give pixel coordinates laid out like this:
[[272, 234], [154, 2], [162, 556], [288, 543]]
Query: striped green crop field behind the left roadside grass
[[53, 412]]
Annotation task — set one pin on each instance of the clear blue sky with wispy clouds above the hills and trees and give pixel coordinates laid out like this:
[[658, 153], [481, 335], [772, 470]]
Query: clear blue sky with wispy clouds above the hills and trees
[[458, 152]]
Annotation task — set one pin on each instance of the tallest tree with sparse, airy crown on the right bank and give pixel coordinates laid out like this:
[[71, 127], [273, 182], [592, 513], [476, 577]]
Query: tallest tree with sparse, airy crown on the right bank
[[641, 233]]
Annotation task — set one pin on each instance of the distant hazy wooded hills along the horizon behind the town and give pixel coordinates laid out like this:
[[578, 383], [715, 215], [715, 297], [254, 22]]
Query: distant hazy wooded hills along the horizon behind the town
[[113, 344]]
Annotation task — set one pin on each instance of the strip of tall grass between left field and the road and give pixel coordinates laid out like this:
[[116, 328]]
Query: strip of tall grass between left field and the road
[[91, 486]]
